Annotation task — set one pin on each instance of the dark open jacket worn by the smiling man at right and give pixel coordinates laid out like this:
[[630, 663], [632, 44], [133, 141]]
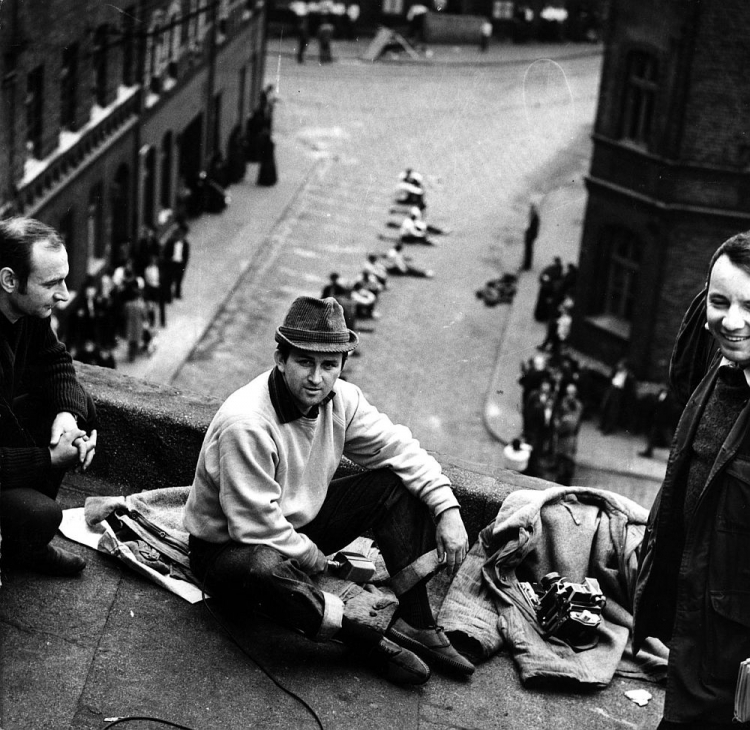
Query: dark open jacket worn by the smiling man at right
[[693, 587]]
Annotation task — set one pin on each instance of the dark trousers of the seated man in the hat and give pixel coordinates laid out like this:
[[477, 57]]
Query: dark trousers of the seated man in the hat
[[260, 578]]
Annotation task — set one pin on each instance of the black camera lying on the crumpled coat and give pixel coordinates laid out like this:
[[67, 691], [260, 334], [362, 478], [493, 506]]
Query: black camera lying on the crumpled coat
[[568, 611]]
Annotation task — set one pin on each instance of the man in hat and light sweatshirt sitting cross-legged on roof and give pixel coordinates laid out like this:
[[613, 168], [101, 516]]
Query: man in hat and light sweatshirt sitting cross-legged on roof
[[264, 509]]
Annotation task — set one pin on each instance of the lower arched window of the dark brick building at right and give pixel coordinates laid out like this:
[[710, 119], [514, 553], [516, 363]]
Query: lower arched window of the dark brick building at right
[[623, 252]]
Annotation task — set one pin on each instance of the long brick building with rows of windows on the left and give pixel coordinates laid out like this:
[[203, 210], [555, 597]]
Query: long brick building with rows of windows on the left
[[105, 106]]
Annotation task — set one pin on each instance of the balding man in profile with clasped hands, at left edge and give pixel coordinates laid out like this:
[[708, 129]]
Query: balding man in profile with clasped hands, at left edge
[[45, 414]]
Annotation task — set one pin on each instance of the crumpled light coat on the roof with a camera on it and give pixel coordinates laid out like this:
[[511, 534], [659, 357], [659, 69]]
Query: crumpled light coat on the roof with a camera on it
[[577, 532]]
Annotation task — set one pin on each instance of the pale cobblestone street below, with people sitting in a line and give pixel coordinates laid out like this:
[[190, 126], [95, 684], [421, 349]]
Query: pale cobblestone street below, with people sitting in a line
[[487, 138]]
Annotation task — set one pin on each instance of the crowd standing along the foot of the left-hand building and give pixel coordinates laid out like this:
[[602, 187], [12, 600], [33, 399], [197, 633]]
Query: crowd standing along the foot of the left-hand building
[[129, 301]]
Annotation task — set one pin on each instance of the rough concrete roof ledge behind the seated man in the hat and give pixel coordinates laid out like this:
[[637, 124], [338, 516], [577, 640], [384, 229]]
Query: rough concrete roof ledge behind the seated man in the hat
[[150, 437]]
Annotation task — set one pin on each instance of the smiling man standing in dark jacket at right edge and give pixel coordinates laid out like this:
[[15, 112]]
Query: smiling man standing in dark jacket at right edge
[[693, 589]]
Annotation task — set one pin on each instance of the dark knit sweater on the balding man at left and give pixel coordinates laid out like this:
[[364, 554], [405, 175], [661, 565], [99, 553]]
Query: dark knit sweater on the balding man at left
[[34, 362]]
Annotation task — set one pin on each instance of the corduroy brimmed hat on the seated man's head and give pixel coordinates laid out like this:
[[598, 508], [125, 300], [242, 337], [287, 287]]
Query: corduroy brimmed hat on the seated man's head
[[316, 325]]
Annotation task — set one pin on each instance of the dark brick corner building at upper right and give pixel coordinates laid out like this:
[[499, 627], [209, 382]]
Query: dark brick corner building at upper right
[[670, 172]]
